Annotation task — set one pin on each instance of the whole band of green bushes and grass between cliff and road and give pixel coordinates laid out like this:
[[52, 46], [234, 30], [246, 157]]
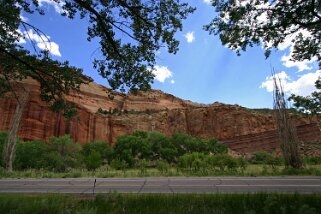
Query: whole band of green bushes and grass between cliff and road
[[142, 154]]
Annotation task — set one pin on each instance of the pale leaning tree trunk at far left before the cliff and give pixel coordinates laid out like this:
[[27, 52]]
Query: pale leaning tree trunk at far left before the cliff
[[10, 146]]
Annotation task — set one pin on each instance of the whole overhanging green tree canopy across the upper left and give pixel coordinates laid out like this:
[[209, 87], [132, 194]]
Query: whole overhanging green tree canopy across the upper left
[[129, 32]]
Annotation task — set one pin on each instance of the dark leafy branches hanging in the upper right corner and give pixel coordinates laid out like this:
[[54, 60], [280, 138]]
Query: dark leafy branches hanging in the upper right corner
[[241, 24]]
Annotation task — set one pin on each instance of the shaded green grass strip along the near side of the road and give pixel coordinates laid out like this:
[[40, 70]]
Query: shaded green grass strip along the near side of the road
[[161, 203]]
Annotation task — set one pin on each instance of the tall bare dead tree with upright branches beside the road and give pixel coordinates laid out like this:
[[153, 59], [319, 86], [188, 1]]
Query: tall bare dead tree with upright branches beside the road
[[285, 127]]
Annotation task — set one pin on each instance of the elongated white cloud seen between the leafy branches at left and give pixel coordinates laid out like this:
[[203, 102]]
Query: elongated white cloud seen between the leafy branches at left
[[43, 42]]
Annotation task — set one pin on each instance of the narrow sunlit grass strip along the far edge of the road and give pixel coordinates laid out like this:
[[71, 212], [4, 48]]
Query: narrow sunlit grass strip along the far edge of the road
[[103, 172]]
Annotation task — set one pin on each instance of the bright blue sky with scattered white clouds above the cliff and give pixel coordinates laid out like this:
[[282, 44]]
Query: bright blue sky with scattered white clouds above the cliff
[[202, 71]]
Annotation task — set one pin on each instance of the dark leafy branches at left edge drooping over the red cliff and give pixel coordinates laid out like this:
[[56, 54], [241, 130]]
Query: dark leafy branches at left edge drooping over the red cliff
[[16, 63]]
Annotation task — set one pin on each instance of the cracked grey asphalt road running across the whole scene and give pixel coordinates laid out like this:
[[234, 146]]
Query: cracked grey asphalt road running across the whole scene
[[162, 185]]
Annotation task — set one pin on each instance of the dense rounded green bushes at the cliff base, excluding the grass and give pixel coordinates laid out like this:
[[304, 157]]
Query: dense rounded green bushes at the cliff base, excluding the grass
[[131, 150]]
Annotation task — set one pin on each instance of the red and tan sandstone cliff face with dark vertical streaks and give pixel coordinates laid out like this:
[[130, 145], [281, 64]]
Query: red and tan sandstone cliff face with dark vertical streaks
[[242, 129]]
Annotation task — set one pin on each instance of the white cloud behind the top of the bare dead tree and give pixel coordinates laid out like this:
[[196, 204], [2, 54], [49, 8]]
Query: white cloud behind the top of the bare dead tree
[[303, 86]]
